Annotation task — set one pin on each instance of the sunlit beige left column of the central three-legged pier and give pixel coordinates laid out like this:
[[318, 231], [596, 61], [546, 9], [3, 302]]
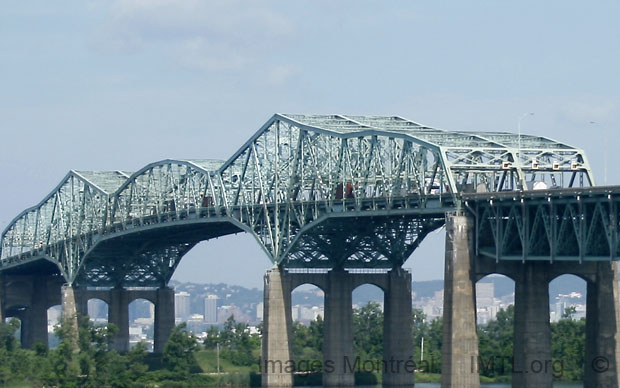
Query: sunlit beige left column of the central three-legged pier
[[276, 359]]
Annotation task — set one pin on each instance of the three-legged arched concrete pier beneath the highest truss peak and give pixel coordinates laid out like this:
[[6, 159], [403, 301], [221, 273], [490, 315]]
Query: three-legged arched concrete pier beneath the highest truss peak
[[339, 362]]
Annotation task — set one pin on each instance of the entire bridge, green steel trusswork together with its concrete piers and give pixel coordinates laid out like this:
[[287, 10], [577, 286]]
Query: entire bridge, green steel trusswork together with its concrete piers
[[336, 201]]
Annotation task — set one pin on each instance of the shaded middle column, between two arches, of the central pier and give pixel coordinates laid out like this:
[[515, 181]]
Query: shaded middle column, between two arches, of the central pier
[[338, 337]]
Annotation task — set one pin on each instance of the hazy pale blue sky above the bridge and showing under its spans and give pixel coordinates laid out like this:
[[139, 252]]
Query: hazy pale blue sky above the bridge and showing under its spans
[[114, 85]]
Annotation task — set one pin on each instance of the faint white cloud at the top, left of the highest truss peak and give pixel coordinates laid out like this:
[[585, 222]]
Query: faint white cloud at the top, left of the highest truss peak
[[205, 35]]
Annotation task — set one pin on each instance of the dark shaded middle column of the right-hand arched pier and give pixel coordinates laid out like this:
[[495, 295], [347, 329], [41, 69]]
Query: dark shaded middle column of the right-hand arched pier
[[532, 333]]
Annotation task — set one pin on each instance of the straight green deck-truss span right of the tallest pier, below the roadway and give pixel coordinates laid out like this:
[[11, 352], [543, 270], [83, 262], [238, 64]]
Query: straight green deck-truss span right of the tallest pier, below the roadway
[[577, 225]]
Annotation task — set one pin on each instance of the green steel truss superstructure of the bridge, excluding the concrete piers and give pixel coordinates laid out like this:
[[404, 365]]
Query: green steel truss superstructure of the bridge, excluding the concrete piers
[[326, 191]]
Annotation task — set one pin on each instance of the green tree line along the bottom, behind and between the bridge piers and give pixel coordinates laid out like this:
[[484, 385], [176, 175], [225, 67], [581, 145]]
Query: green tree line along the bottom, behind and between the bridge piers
[[91, 362]]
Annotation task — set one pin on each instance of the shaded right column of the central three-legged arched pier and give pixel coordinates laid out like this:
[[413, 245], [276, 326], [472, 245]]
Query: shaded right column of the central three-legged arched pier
[[397, 326]]
